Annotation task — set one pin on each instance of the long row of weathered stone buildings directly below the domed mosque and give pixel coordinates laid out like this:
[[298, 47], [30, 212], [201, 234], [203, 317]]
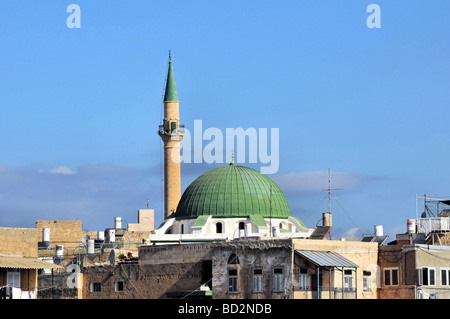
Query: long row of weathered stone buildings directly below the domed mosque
[[246, 268]]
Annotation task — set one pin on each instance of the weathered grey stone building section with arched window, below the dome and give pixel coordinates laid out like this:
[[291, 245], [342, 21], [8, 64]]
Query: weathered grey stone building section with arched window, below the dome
[[253, 269]]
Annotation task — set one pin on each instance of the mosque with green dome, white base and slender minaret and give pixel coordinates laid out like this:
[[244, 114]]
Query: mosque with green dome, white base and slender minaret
[[225, 203]]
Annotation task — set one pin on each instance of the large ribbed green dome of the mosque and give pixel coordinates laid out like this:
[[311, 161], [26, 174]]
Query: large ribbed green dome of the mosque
[[232, 191]]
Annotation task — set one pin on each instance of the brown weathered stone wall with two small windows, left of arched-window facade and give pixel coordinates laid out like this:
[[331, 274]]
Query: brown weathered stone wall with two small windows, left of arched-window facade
[[161, 269]]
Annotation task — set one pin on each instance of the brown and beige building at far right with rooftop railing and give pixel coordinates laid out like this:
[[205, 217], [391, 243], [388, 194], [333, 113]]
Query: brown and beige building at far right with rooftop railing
[[416, 265]]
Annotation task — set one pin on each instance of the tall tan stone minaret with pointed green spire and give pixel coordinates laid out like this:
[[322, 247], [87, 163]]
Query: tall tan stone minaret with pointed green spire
[[171, 132]]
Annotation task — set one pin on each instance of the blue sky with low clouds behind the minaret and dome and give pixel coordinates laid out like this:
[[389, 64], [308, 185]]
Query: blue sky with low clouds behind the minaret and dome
[[80, 107]]
